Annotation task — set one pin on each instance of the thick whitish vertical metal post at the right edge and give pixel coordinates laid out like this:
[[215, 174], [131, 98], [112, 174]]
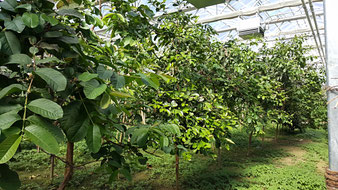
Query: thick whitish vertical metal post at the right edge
[[331, 39]]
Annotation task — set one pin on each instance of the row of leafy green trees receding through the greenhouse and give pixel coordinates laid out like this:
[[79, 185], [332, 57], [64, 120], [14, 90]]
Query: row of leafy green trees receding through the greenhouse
[[167, 86]]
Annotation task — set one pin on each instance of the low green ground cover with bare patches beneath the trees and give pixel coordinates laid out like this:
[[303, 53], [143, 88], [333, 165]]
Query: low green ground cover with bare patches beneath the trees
[[294, 161]]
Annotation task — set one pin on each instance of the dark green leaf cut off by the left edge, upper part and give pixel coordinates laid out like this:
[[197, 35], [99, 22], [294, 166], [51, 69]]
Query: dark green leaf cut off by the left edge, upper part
[[9, 43]]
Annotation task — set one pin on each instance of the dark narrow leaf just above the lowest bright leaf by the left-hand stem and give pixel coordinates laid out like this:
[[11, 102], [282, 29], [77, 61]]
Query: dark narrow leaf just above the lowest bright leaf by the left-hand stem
[[52, 129]]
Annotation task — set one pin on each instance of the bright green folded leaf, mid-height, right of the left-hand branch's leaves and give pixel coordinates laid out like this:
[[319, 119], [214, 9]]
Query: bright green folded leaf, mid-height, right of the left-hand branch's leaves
[[93, 88]]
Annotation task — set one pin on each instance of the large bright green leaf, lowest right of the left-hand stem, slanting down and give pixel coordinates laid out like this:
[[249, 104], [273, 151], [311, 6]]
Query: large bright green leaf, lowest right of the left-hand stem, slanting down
[[43, 138]]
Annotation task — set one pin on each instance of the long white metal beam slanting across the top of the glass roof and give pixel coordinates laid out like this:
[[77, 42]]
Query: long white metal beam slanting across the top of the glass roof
[[254, 10]]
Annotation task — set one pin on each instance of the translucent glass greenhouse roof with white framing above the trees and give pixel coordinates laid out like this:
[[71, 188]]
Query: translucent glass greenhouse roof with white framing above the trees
[[280, 19]]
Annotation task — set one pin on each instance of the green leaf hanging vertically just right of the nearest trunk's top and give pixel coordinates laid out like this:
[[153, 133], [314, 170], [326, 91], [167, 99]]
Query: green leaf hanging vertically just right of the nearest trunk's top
[[93, 138]]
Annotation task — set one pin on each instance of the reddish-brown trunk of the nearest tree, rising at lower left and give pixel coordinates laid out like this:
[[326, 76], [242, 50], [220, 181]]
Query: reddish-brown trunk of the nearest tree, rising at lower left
[[69, 166]]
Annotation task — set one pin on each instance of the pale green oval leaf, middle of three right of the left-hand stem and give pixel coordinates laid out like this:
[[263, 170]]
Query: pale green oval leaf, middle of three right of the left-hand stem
[[46, 108]]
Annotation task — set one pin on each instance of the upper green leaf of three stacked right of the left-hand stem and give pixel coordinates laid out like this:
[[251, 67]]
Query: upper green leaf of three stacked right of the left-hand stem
[[53, 78]]
